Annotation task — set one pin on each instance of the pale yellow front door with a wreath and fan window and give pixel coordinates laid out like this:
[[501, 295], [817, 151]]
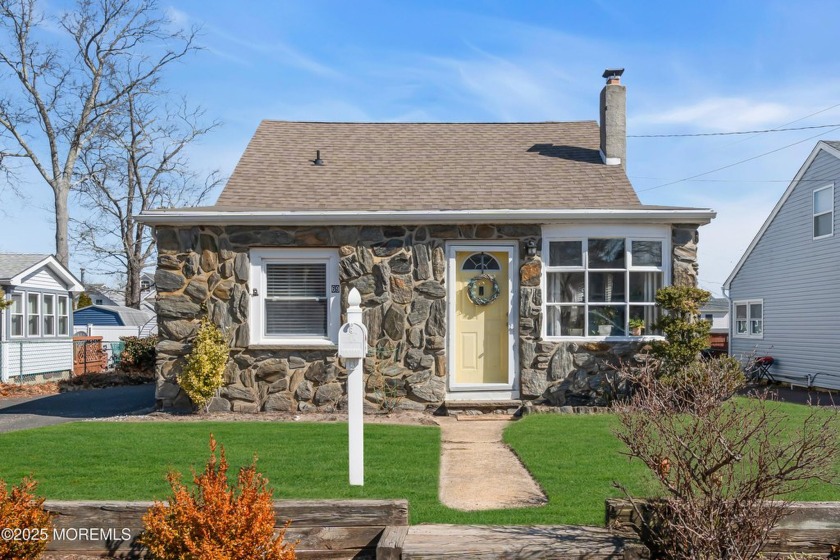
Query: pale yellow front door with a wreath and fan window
[[481, 331]]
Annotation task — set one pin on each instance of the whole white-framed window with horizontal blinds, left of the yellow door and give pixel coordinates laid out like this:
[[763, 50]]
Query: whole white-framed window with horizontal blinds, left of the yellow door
[[295, 296]]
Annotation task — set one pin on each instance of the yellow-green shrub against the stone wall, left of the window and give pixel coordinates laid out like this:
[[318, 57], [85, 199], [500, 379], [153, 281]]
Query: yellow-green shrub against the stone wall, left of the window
[[203, 373]]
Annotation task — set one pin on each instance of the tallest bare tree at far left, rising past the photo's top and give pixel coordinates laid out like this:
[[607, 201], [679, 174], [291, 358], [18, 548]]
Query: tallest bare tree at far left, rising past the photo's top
[[56, 100]]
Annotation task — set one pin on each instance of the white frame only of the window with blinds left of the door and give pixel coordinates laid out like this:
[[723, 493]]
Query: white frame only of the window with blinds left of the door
[[258, 287]]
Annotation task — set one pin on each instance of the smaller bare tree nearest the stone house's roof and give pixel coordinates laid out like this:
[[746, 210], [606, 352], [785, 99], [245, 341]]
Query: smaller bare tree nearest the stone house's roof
[[137, 163]]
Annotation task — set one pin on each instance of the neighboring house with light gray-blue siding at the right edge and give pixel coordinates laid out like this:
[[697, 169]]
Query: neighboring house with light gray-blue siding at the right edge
[[785, 290]]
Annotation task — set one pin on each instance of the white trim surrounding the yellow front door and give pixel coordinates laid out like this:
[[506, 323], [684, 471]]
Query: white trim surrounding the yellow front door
[[484, 391]]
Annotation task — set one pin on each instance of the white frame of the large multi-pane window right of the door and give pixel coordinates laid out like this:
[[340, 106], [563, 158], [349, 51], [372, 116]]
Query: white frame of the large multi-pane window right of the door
[[629, 233]]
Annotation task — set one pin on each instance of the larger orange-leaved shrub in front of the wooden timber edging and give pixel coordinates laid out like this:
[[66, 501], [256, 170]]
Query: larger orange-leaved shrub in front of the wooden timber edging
[[217, 521]]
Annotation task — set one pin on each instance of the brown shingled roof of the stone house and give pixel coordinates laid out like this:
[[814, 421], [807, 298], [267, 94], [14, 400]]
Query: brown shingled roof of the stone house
[[425, 166]]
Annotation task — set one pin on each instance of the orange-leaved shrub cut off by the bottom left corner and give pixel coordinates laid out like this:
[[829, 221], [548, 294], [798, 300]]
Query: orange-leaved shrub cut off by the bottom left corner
[[27, 528]]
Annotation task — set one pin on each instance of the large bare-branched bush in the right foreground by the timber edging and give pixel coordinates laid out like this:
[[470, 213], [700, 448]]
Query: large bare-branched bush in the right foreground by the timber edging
[[725, 465]]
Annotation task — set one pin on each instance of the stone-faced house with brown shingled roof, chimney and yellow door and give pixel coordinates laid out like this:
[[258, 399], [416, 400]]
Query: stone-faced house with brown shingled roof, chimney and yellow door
[[495, 262]]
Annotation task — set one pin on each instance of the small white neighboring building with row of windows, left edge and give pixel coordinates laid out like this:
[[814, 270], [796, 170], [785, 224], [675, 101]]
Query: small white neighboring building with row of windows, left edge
[[36, 329]]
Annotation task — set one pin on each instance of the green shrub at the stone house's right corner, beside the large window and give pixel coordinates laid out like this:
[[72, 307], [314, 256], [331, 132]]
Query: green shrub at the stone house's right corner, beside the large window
[[685, 335]]
